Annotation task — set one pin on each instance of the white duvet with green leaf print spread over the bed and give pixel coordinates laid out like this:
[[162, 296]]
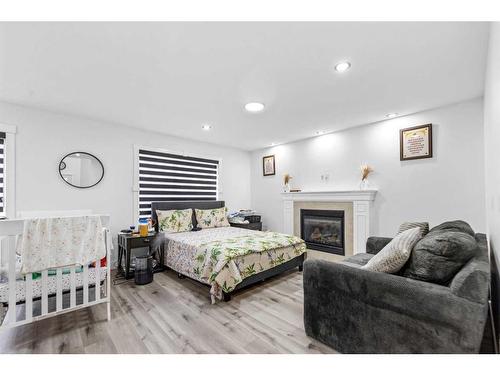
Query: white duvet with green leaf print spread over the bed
[[223, 257]]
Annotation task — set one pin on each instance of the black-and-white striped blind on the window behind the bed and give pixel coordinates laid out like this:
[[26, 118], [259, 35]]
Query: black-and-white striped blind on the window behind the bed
[[169, 177]]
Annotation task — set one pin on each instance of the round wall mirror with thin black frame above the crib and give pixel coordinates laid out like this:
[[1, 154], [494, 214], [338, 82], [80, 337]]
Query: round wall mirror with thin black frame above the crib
[[81, 170]]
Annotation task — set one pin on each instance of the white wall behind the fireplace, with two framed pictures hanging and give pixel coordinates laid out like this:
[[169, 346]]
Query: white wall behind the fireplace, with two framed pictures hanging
[[448, 186]]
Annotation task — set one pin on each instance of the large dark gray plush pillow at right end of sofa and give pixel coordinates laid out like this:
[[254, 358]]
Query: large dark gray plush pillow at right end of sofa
[[437, 257]]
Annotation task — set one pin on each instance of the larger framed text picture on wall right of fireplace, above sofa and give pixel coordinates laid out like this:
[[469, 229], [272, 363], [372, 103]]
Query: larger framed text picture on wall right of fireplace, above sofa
[[415, 142]]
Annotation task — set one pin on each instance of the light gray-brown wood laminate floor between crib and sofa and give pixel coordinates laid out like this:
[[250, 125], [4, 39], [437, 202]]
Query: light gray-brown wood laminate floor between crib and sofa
[[174, 315]]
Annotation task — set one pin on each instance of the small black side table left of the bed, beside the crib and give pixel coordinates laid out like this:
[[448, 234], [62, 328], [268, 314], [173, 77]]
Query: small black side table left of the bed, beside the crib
[[128, 242]]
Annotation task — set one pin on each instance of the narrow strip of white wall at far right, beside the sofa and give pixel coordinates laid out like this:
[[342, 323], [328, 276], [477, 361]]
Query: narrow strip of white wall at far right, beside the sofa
[[492, 158]]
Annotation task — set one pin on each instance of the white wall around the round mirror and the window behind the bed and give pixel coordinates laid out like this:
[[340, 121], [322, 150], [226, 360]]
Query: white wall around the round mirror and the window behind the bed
[[43, 138]]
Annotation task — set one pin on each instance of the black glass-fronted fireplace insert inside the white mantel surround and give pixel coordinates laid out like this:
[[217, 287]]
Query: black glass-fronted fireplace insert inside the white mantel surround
[[323, 230]]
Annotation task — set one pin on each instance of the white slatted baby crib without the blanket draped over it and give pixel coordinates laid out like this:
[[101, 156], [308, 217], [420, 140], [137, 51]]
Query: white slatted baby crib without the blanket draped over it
[[28, 292]]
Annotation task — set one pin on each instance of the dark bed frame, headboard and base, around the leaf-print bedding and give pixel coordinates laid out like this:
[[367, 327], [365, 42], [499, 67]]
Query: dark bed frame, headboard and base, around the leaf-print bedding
[[207, 205]]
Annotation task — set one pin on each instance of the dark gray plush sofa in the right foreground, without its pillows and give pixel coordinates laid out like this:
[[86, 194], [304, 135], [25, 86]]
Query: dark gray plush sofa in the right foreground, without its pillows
[[359, 311]]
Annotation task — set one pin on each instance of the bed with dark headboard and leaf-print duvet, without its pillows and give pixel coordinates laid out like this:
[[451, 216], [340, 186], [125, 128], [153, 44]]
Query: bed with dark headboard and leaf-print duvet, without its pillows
[[227, 258]]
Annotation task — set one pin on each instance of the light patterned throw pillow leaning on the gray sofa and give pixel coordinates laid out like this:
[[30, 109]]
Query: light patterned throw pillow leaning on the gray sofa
[[396, 253]]
